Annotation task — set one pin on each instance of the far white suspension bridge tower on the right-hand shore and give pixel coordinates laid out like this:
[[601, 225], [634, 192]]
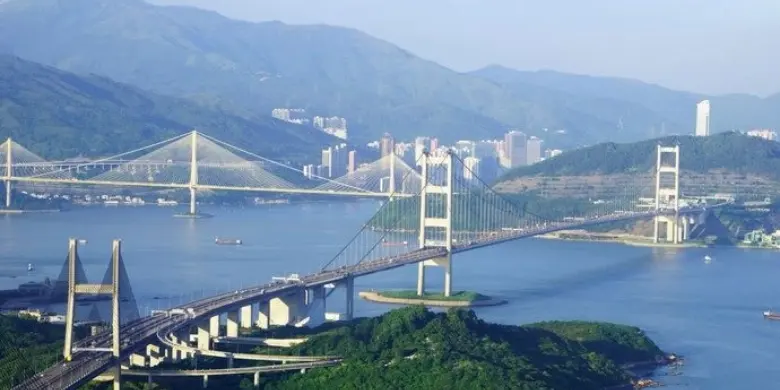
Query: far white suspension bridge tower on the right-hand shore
[[667, 194]]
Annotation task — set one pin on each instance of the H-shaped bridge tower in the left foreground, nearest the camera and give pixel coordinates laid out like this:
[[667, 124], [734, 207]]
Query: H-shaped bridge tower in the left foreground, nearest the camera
[[112, 289]]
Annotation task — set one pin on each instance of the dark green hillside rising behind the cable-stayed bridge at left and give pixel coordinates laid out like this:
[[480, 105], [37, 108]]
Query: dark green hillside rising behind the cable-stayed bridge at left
[[57, 114]]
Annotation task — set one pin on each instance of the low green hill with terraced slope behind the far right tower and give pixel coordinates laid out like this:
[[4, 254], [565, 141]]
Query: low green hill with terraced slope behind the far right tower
[[732, 152]]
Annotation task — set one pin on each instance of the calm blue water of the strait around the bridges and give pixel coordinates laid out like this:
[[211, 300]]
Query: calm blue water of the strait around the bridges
[[710, 313]]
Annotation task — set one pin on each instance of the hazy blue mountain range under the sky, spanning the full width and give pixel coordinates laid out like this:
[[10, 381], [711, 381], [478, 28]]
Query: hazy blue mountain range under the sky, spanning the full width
[[251, 68]]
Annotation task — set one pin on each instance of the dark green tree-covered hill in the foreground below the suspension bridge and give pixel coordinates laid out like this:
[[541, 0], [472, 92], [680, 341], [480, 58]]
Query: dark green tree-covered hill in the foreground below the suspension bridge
[[413, 348]]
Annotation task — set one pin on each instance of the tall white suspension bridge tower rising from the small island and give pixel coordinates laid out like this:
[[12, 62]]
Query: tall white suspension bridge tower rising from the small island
[[428, 223]]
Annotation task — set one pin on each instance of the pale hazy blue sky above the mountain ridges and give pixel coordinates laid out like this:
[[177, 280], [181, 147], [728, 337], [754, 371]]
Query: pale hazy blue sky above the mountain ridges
[[709, 46]]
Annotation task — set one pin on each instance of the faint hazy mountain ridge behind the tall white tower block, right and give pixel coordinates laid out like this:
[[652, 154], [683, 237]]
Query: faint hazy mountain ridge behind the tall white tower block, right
[[638, 103]]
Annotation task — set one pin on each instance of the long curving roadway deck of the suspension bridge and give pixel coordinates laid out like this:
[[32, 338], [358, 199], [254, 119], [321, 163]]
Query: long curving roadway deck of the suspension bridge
[[137, 334]]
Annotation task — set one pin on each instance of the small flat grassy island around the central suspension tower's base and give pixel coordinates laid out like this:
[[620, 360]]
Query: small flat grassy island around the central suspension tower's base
[[410, 297]]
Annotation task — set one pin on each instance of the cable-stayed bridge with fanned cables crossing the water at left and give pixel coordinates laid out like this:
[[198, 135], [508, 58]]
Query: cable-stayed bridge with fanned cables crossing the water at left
[[197, 162]]
